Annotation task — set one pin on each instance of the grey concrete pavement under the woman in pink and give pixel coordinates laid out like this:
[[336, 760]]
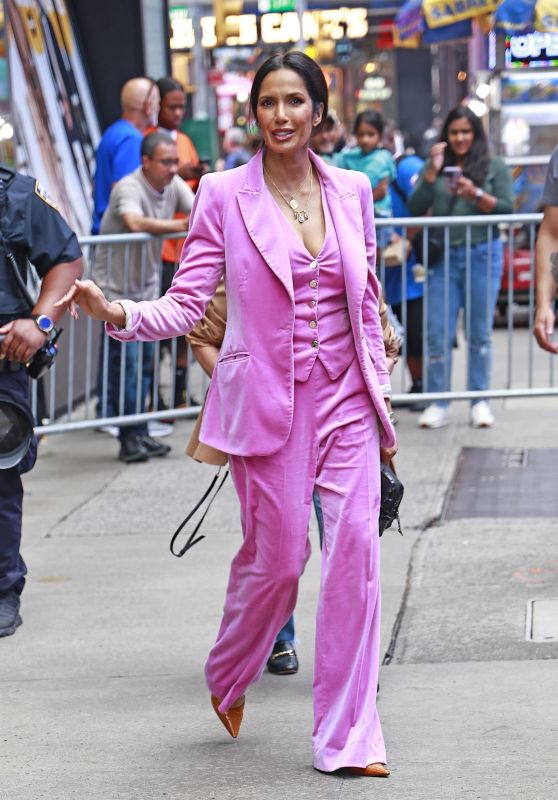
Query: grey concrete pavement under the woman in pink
[[102, 695]]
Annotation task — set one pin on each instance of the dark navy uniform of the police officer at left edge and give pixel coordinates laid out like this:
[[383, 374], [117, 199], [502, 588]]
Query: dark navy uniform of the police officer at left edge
[[33, 229]]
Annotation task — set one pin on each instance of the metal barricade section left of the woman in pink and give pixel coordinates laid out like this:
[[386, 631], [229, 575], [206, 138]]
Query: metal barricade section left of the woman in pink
[[76, 394]]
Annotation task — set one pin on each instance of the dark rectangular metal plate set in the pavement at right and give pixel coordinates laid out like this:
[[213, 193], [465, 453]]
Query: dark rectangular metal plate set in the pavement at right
[[503, 483]]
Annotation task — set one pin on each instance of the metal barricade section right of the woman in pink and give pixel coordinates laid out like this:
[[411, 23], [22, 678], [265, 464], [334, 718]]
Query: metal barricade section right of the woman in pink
[[527, 371]]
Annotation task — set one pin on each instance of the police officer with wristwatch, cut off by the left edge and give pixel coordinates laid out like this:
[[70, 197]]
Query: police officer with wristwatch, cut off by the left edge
[[31, 229]]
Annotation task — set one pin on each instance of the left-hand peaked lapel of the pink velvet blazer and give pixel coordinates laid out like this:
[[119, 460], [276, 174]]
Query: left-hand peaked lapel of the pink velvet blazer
[[259, 215]]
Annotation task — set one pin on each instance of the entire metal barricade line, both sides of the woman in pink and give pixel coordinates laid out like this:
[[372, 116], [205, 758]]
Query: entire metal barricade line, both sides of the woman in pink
[[76, 394]]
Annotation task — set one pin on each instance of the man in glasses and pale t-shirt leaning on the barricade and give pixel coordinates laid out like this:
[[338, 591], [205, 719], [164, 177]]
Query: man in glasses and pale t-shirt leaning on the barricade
[[144, 201]]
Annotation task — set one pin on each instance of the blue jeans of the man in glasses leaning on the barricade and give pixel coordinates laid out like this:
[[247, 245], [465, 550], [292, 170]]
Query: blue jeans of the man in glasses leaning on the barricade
[[138, 373]]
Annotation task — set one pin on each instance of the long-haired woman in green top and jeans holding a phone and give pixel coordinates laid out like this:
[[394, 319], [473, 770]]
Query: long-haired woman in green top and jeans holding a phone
[[462, 178]]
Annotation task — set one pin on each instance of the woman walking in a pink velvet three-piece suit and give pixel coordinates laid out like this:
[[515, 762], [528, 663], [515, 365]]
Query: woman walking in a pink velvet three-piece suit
[[299, 398]]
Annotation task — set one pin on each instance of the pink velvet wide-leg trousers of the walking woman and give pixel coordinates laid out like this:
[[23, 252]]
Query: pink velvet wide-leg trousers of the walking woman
[[334, 445]]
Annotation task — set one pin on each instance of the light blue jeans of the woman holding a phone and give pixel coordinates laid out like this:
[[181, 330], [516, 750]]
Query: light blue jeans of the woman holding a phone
[[450, 292]]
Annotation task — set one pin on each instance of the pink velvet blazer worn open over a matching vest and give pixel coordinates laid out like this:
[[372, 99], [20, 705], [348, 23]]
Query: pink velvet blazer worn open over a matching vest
[[249, 406]]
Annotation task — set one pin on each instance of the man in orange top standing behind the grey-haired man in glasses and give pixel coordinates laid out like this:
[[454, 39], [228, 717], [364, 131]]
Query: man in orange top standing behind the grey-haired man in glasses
[[171, 114]]
